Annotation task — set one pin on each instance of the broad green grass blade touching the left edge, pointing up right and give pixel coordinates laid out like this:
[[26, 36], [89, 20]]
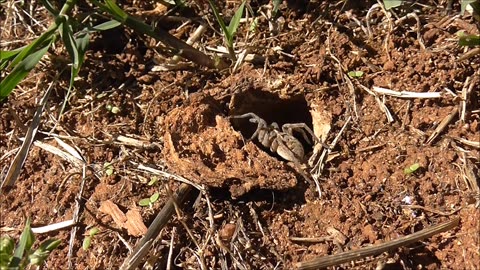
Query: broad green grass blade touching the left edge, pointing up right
[[20, 71]]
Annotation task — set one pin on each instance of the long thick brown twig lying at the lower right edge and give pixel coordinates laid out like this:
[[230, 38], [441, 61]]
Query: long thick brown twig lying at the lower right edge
[[337, 259]]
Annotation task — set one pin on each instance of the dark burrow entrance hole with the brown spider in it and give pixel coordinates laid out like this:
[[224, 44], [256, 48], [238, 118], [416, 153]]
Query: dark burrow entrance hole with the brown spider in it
[[281, 127]]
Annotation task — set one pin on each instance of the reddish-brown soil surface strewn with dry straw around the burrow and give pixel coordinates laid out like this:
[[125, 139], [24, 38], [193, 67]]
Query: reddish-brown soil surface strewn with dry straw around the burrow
[[255, 201]]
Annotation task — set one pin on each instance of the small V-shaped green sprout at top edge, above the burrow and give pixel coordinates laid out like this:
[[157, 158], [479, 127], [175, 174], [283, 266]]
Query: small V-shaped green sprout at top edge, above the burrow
[[230, 31]]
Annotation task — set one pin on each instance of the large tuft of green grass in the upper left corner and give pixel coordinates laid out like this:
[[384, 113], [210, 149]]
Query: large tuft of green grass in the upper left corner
[[75, 35]]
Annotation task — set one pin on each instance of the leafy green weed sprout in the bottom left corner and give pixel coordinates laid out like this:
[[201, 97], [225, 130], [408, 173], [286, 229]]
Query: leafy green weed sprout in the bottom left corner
[[23, 256]]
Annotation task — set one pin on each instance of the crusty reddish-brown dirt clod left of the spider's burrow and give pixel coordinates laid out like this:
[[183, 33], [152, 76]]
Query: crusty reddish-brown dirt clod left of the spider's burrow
[[201, 145]]
